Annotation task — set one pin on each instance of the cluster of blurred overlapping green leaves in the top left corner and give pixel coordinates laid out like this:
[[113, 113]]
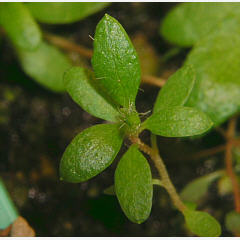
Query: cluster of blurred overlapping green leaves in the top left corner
[[40, 60]]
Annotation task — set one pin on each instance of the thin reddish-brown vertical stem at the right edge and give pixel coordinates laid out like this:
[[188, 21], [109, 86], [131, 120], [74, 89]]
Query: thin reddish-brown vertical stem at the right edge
[[229, 164]]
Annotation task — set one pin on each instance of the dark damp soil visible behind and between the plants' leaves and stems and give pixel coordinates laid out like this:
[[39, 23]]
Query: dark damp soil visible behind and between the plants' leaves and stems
[[36, 125]]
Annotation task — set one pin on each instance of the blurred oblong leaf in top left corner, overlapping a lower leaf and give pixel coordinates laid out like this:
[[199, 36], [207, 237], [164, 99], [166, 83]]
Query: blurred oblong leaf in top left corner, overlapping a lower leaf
[[19, 25]]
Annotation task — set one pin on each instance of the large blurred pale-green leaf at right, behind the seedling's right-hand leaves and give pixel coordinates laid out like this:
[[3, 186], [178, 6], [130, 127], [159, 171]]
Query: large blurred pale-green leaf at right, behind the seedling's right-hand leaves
[[217, 88]]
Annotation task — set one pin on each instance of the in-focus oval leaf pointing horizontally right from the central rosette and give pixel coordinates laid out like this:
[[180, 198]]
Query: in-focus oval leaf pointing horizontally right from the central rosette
[[178, 122]]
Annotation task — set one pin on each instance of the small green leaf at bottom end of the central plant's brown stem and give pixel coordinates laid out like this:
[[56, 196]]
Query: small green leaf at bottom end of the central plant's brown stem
[[202, 224]]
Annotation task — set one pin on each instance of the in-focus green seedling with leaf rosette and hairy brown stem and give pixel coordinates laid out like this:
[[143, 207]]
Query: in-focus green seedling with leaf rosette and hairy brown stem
[[109, 93]]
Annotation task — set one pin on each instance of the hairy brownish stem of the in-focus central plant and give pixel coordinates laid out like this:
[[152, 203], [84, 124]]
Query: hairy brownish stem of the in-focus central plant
[[159, 164]]
